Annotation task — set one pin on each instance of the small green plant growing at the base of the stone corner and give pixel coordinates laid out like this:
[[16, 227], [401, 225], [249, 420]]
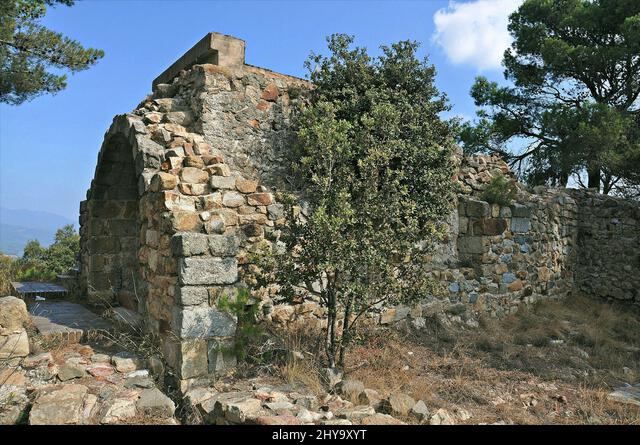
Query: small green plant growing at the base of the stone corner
[[245, 310]]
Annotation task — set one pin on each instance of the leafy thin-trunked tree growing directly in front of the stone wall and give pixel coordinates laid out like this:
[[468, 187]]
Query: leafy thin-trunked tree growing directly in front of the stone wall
[[374, 162]]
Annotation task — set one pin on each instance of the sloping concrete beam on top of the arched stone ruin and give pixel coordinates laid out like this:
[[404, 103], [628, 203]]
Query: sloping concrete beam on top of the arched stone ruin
[[218, 49]]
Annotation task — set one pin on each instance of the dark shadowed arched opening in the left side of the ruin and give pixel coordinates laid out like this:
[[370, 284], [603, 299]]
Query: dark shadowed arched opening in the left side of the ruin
[[110, 229]]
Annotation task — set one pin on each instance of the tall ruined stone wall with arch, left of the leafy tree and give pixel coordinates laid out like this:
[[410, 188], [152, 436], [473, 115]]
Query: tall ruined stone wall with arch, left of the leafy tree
[[177, 205]]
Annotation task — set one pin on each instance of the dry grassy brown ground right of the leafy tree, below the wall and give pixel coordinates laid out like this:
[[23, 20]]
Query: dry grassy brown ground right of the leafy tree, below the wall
[[551, 363]]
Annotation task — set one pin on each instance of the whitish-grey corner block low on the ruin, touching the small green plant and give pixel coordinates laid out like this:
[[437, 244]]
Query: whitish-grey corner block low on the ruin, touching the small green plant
[[202, 322]]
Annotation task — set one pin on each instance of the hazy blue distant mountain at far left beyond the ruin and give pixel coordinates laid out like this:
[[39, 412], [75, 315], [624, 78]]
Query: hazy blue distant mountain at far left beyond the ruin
[[17, 227]]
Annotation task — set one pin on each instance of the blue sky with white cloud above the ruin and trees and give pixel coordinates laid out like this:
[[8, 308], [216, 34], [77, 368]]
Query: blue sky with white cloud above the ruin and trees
[[48, 147]]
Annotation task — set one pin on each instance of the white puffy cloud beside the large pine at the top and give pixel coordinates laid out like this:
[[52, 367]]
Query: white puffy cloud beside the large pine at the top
[[475, 33]]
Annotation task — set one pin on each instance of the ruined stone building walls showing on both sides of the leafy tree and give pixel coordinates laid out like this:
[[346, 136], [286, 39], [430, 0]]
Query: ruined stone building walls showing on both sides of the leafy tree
[[185, 188]]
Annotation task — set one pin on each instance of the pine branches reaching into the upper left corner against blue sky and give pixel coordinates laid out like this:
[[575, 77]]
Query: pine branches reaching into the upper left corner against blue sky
[[27, 50]]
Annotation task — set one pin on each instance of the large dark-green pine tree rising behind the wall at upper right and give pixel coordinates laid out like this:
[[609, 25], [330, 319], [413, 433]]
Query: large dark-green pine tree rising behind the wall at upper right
[[574, 74]]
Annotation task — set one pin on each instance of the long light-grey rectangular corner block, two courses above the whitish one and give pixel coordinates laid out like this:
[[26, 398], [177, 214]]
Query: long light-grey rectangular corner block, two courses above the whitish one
[[203, 271]]
